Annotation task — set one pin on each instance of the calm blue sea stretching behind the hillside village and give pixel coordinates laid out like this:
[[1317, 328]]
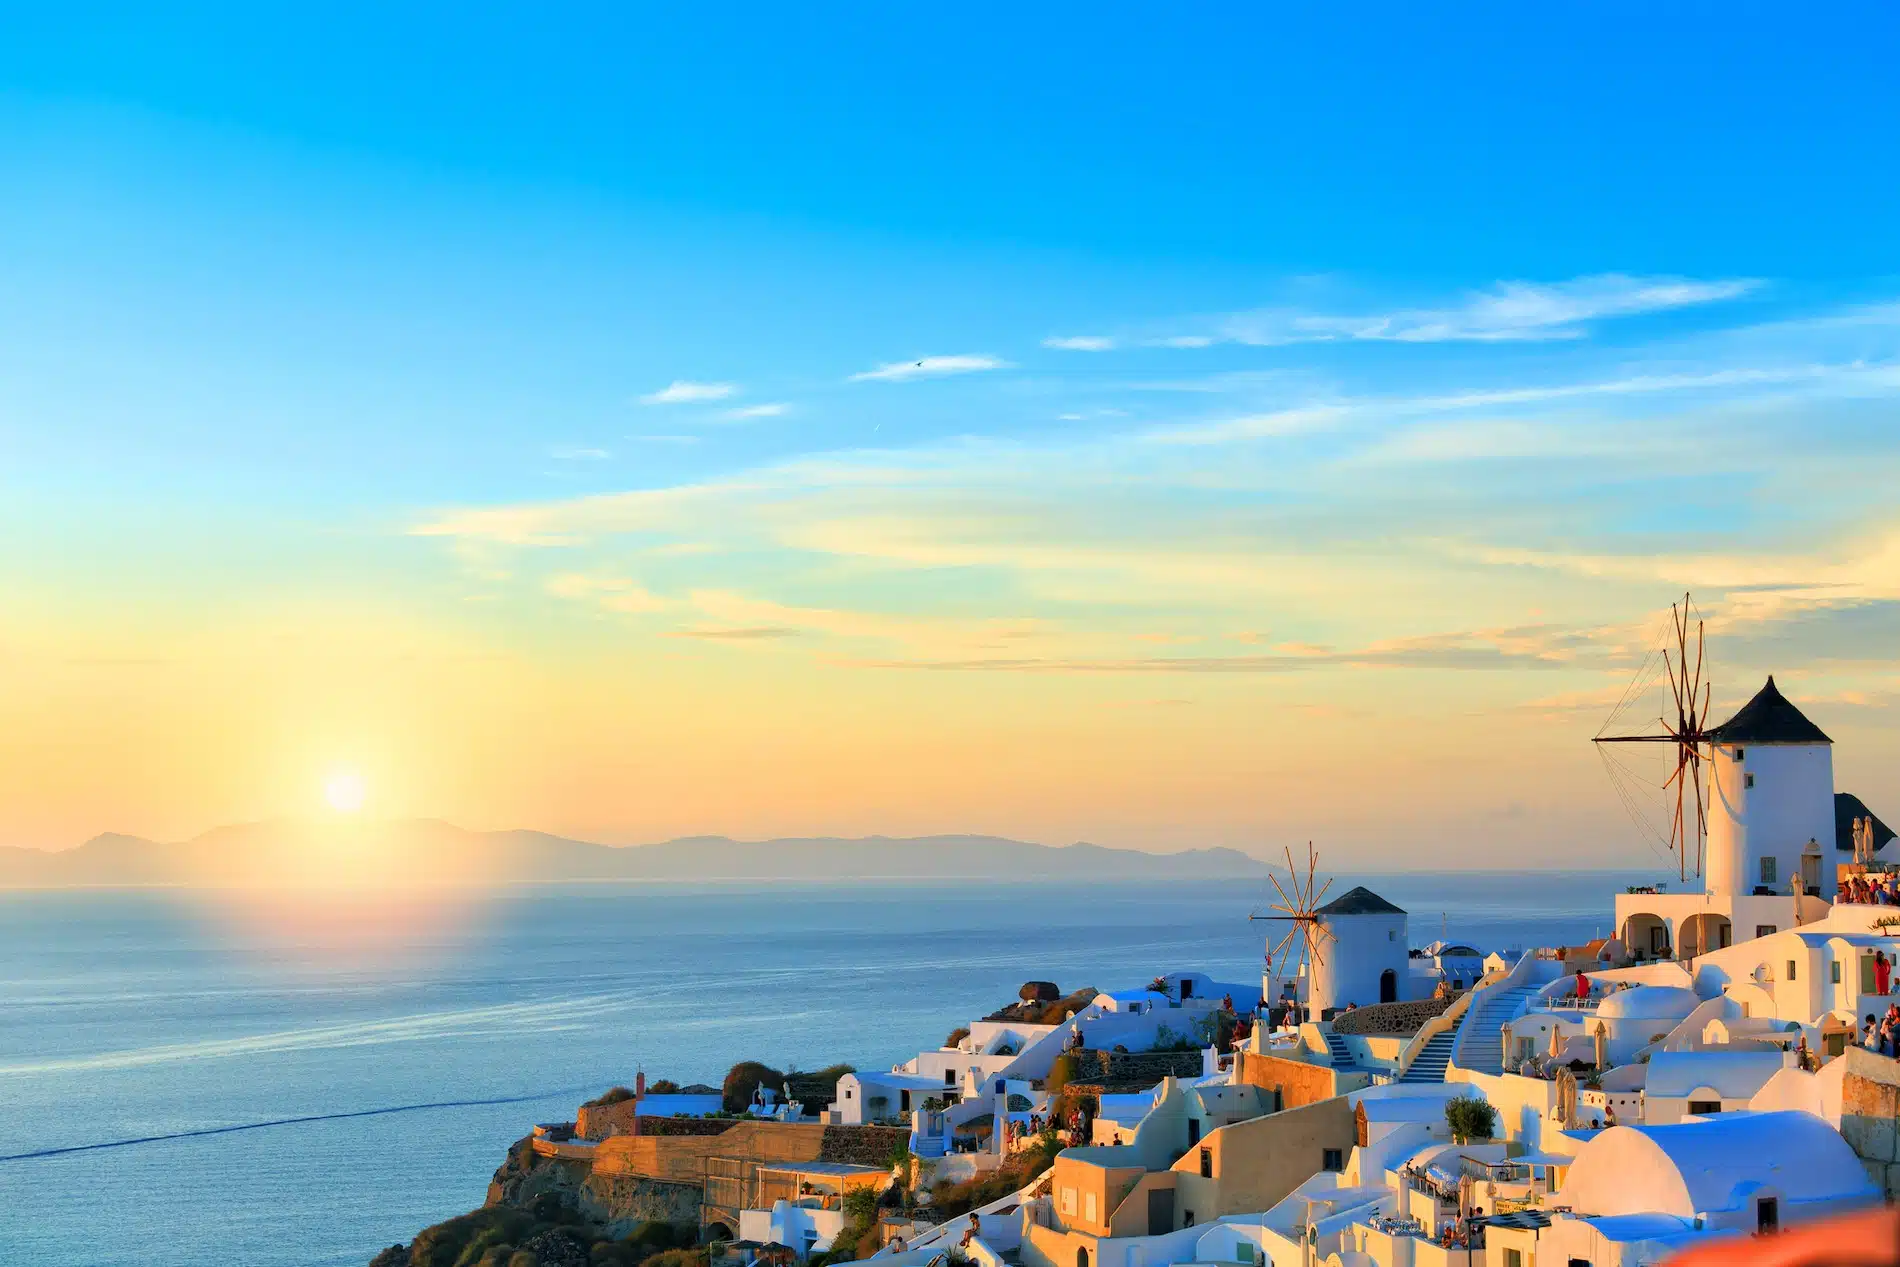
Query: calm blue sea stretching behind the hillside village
[[423, 1042]]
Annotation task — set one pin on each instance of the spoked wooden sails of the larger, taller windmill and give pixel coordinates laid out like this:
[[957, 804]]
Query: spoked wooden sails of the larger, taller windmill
[[1686, 738]]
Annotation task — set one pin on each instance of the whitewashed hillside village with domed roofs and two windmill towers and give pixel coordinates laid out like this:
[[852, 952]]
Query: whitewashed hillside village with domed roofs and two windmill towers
[[1720, 1068]]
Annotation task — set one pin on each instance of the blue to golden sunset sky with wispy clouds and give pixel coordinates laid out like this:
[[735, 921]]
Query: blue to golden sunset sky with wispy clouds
[[1168, 430]]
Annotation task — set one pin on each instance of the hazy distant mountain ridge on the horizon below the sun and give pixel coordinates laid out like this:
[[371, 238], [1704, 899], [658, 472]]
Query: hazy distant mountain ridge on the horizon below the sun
[[427, 852]]
